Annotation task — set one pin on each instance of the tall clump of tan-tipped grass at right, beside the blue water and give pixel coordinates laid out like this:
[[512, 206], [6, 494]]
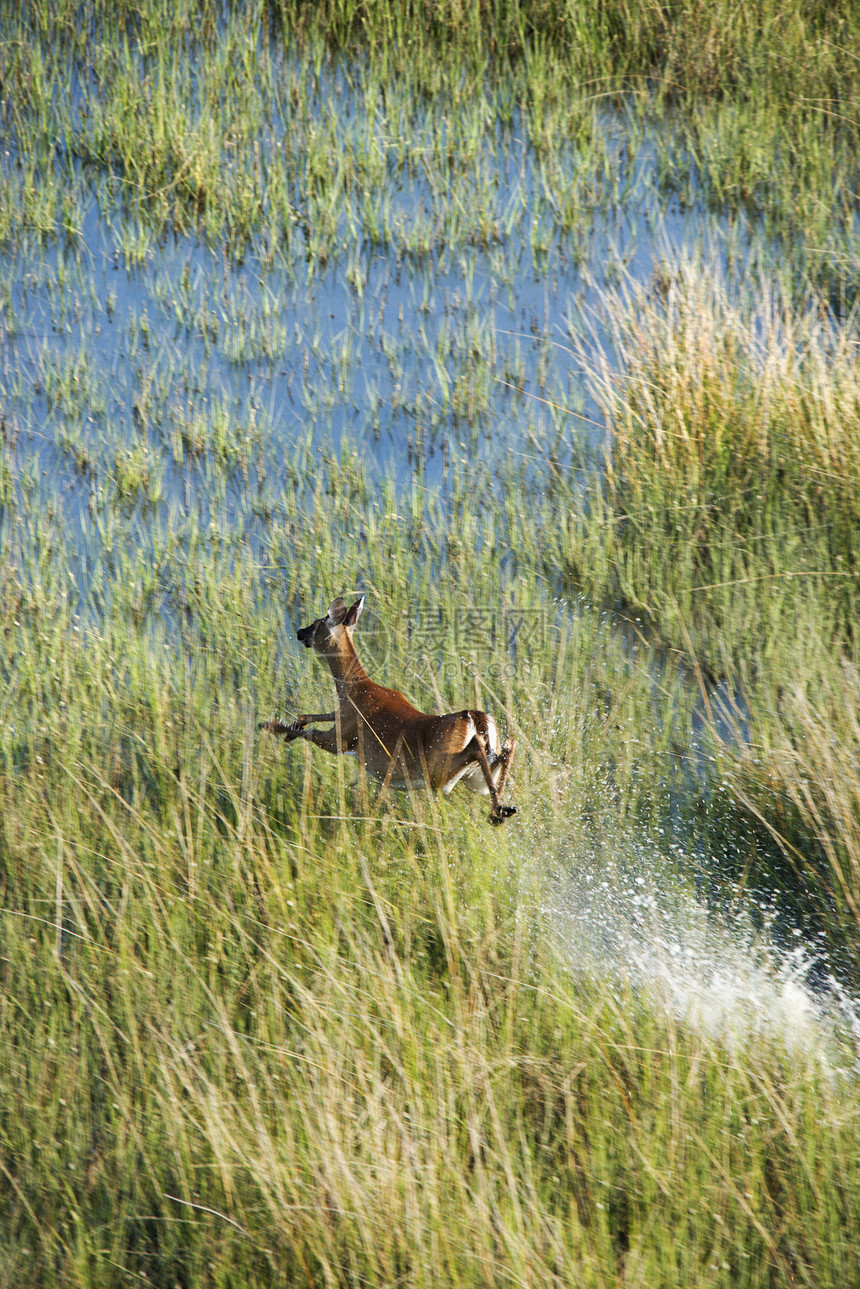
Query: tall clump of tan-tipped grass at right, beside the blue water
[[727, 515]]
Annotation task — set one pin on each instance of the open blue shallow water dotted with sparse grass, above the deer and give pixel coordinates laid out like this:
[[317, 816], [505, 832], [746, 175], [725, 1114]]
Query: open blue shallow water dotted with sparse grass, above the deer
[[113, 342]]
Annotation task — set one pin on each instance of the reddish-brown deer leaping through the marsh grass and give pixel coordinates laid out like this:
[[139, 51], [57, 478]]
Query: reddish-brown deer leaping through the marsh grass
[[396, 743]]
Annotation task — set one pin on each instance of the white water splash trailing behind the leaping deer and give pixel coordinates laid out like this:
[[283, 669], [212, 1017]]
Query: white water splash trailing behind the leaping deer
[[632, 921]]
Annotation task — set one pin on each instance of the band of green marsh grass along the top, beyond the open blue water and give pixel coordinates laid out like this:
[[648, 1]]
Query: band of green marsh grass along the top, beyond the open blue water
[[233, 126]]
